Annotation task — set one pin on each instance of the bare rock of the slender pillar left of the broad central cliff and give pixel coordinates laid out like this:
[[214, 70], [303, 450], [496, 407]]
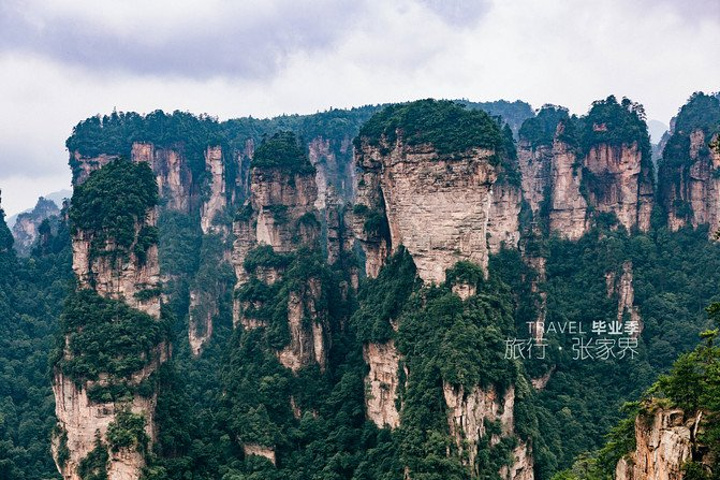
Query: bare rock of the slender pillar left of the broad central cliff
[[281, 213]]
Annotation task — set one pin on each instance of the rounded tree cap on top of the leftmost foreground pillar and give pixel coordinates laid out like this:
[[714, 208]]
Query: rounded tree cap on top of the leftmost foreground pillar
[[112, 203]]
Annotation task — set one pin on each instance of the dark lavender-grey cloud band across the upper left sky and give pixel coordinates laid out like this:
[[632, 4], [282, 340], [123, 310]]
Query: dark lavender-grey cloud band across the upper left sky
[[231, 47]]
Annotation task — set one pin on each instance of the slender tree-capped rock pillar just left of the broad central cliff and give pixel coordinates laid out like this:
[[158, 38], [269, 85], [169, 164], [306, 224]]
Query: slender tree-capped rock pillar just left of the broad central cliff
[[281, 218]]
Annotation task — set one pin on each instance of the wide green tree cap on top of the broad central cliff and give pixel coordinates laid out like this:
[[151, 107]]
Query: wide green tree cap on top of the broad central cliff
[[449, 127]]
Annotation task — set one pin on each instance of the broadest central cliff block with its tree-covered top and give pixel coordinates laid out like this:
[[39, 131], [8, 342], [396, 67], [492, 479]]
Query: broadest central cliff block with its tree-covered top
[[433, 197]]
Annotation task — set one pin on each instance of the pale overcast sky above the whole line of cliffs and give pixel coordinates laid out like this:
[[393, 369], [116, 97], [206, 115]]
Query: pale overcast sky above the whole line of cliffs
[[64, 60]]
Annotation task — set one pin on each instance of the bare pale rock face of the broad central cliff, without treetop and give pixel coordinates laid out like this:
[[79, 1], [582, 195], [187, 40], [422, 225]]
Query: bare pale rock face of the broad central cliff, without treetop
[[437, 207]]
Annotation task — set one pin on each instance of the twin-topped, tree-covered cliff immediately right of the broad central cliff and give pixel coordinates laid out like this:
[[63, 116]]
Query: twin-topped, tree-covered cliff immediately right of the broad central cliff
[[576, 169]]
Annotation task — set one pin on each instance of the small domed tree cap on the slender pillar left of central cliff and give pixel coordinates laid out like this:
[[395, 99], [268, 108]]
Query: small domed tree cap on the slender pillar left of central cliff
[[282, 150]]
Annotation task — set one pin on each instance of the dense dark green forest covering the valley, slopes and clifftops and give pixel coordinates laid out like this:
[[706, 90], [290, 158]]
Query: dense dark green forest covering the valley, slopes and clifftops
[[235, 393]]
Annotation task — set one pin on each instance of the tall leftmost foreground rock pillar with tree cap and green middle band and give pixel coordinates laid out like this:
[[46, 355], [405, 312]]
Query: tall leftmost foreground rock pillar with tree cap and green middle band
[[116, 264]]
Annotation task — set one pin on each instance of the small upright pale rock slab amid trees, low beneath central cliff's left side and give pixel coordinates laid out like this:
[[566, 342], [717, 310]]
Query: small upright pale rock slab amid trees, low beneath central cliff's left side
[[382, 384]]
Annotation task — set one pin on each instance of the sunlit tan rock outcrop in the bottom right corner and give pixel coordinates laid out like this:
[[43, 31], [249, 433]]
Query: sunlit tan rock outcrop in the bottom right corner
[[666, 439]]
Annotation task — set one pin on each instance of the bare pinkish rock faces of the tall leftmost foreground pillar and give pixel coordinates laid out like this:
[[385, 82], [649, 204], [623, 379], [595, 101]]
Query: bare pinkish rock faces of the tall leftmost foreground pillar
[[80, 419]]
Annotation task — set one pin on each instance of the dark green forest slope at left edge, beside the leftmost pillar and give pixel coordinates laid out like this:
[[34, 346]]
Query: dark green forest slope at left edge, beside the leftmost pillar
[[31, 295]]
